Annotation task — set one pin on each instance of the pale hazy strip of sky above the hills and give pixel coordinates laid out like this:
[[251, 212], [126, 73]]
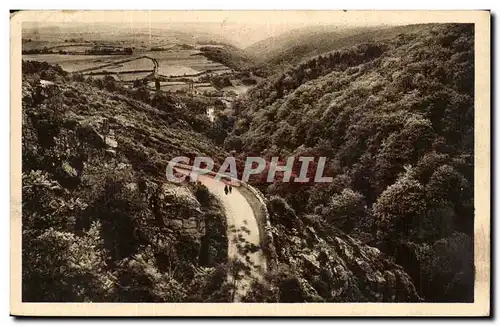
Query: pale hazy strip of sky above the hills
[[242, 28]]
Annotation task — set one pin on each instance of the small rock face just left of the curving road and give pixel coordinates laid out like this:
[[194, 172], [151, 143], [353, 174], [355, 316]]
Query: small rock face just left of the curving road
[[177, 208]]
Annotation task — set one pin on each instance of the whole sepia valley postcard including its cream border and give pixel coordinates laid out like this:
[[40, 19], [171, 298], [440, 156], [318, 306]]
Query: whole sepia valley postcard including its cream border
[[318, 159]]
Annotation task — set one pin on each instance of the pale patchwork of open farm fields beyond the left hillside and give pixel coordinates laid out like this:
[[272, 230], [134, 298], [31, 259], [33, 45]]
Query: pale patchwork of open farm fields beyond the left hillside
[[177, 65]]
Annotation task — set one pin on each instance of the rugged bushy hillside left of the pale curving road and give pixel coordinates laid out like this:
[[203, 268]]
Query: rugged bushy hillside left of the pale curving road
[[100, 221]]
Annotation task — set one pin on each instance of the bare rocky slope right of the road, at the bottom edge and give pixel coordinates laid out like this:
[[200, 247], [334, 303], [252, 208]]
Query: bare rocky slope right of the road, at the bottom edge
[[338, 268]]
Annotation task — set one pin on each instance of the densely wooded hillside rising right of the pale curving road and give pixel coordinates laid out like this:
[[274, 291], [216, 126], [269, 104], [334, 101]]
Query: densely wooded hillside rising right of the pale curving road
[[395, 118]]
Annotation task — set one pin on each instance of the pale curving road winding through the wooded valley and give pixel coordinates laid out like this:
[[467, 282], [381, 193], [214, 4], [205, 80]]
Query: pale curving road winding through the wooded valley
[[244, 245]]
